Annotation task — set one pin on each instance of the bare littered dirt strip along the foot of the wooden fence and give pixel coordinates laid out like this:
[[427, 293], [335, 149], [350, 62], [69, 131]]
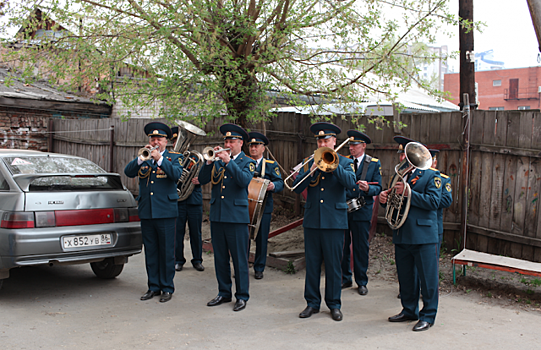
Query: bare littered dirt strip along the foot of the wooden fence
[[501, 288]]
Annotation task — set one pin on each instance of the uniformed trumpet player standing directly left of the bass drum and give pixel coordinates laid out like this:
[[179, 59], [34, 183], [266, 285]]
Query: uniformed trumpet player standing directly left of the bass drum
[[230, 176]]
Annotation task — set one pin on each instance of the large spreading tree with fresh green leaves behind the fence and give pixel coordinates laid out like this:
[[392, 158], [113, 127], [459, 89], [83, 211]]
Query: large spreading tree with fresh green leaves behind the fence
[[210, 57]]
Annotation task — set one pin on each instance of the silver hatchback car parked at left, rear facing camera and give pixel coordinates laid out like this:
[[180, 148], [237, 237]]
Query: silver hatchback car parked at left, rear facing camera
[[60, 209]]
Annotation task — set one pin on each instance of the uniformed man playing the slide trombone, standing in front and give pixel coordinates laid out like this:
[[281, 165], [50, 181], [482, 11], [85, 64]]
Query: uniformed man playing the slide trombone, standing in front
[[325, 219]]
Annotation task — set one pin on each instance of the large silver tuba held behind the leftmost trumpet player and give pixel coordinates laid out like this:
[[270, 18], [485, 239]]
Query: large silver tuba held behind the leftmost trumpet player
[[193, 160]]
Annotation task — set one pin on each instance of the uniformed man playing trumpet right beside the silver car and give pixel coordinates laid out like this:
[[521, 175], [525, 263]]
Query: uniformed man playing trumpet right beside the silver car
[[157, 206]]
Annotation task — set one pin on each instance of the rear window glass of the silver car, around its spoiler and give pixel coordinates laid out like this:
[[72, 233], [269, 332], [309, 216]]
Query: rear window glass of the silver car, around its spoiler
[[61, 165]]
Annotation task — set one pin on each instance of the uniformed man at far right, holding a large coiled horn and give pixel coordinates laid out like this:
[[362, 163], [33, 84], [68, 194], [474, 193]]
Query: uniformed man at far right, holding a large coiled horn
[[416, 244]]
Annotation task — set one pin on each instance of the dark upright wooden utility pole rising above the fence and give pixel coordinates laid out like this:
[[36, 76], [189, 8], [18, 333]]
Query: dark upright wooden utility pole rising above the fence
[[467, 55]]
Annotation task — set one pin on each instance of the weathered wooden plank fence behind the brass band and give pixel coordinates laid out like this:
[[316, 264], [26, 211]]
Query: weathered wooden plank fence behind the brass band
[[504, 165]]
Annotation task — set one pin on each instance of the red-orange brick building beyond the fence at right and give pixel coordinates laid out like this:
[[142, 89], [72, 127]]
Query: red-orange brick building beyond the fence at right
[[502, 89]]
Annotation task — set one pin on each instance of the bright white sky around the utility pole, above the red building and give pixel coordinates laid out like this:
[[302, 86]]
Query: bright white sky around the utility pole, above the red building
[[509, 31]]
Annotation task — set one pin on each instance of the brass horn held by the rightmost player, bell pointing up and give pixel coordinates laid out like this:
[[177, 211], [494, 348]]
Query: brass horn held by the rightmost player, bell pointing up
[[417, 157]]
